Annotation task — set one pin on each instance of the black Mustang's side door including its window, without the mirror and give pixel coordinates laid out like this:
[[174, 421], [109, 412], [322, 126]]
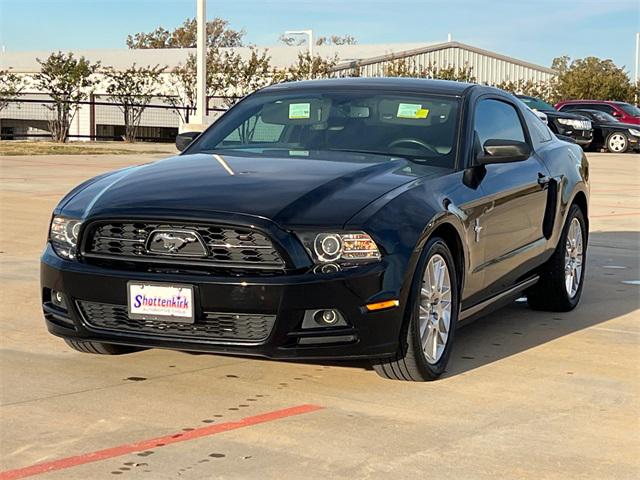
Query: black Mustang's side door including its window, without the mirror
[[514, 198]]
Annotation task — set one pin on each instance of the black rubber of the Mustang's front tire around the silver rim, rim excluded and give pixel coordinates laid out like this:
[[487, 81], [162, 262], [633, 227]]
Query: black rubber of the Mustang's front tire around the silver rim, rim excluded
[[409, 363]]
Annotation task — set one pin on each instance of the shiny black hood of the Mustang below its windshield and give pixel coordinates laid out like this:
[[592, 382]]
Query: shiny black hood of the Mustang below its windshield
[[327, 190]]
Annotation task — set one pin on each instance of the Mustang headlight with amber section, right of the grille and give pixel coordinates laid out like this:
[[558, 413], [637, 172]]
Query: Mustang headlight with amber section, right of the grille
[[344, 248]]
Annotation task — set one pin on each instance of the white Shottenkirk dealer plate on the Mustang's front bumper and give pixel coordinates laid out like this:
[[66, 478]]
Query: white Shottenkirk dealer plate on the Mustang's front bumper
[[163, 302]]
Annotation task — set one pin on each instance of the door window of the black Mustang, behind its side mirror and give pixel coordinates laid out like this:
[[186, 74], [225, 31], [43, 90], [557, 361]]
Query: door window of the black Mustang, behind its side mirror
[[497, 120]]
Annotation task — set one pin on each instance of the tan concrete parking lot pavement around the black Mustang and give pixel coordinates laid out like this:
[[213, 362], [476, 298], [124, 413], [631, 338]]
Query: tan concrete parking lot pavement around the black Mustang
[[527, 394]]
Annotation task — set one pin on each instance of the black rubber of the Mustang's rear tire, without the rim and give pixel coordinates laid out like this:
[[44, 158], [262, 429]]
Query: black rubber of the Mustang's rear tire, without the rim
[[550, 293]]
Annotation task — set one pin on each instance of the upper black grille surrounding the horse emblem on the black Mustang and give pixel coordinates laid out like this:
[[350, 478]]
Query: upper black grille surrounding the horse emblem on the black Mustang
[[230, 247]]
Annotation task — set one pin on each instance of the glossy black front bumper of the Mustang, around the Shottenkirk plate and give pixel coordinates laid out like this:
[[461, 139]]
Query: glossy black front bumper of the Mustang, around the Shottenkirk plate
[[367, 335]]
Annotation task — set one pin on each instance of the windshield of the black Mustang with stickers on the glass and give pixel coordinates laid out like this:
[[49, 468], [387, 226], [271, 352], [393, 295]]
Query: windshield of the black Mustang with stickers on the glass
[[421, 128]]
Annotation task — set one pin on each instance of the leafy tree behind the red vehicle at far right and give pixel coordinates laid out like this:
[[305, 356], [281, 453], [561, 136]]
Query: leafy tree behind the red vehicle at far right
[[592, 78]]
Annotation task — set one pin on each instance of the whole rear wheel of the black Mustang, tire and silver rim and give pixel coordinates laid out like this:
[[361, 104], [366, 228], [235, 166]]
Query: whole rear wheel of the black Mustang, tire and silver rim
[[561, 278]]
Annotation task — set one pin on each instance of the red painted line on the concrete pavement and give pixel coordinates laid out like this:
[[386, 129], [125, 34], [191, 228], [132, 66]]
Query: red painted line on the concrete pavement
[[143, 445]]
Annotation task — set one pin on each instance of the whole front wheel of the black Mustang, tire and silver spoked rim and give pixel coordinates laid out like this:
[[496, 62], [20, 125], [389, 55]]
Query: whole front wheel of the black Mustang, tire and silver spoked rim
[[433, 308]]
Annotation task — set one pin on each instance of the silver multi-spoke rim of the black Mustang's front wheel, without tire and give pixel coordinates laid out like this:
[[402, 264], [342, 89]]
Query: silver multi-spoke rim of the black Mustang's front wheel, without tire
[[435, 309]]
